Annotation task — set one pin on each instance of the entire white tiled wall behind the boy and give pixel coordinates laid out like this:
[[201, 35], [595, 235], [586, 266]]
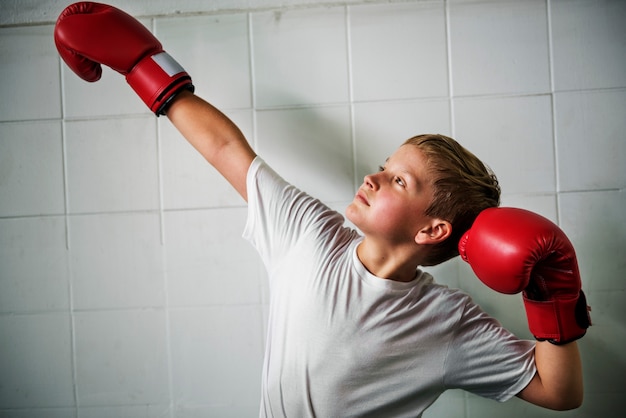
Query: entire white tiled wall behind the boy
[[125, 287]]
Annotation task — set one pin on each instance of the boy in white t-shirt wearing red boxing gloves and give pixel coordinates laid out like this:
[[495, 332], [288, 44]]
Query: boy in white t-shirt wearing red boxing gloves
[[355, 328]]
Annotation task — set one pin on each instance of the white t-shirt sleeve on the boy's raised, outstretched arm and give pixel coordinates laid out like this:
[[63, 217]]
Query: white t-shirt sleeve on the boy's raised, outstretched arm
[[279, 214]]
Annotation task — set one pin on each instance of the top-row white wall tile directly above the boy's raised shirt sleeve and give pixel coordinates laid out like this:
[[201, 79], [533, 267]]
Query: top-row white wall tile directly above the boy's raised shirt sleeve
[[300, 57]]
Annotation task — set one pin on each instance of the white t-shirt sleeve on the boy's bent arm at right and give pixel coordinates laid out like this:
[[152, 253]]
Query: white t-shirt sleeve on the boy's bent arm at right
[[486, 359]]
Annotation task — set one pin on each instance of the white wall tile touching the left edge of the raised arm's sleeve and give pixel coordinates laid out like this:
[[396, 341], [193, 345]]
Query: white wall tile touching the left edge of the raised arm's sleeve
[[197, 278]]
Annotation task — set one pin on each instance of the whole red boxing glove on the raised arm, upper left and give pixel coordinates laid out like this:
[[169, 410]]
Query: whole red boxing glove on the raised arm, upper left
[[89, 34]]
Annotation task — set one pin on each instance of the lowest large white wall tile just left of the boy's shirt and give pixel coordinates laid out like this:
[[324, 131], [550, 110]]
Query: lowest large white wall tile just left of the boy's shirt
[[216, 361]]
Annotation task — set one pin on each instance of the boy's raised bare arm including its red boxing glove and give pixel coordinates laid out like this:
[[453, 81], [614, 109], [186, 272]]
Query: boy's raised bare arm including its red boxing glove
[[89, 34]]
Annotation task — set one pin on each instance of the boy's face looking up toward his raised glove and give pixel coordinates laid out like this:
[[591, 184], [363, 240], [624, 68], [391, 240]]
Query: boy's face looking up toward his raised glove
[[391, 204]]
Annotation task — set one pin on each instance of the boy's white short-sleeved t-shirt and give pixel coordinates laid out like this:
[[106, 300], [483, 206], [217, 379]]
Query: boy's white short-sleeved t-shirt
[[344, 343]]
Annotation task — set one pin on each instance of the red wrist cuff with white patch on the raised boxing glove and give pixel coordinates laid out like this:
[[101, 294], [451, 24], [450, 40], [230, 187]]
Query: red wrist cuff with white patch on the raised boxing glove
[[157, 79]]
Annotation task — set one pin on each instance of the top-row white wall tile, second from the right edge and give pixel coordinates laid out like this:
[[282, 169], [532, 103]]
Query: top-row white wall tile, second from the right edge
[[499, 47]]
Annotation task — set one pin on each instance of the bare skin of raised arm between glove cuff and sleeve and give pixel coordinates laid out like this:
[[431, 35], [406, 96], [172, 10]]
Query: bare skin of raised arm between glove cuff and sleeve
[[214, 136]]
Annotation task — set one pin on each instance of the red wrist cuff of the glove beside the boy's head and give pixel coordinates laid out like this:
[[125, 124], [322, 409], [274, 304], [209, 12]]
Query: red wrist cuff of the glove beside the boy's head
[[558, 321]]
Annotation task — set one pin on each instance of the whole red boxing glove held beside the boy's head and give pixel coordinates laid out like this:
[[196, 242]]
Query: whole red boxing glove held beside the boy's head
[[513, 250]]
